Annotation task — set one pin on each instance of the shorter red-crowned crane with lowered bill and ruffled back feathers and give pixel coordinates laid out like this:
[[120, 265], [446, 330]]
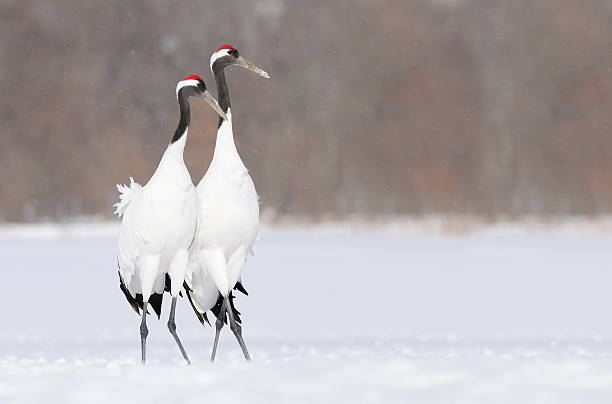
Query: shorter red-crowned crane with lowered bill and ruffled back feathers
[[159, 222]]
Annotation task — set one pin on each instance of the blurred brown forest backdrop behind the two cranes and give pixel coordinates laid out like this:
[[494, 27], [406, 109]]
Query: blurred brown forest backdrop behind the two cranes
[[374, 107]]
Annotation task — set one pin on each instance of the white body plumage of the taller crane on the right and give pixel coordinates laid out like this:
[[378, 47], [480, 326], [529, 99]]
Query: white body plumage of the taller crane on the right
[[228, 222]]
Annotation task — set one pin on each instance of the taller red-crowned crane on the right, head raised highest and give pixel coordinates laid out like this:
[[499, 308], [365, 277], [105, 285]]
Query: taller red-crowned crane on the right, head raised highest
[[228, 215]]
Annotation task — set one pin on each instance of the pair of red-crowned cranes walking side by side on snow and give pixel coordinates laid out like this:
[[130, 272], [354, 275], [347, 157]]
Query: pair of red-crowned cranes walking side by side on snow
[[174, 235]]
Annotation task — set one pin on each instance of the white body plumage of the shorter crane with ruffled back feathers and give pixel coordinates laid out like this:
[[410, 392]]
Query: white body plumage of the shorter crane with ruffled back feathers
[[158, 226]]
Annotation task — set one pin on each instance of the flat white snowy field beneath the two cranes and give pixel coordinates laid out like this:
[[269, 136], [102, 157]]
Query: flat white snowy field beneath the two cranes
[[498, 315]]
